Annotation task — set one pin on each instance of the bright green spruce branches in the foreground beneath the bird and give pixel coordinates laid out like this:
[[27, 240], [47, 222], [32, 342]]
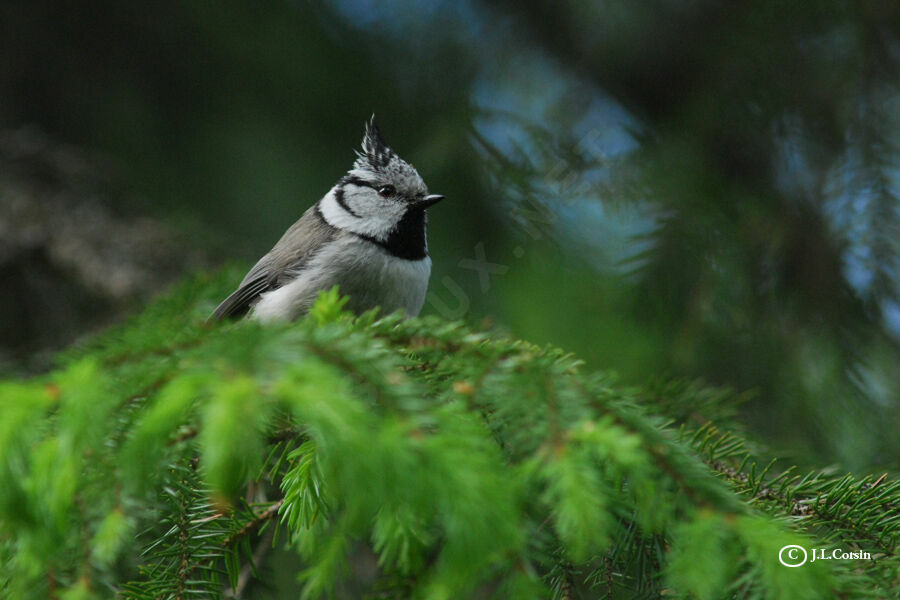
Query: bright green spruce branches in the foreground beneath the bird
[[400, 458]]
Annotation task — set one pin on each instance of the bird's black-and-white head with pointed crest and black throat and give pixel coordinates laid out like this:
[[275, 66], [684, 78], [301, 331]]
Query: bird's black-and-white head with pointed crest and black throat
[[379, 199]]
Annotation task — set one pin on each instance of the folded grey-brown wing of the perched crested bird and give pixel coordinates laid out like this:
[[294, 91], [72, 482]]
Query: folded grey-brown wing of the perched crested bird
[[282, 264]]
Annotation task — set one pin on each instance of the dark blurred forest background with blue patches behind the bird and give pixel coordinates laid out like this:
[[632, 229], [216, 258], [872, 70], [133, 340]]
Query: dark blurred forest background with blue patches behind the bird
[[670, 189]]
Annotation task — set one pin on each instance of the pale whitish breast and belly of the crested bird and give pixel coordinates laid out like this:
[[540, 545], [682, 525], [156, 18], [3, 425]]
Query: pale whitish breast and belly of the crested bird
[[362, 270]]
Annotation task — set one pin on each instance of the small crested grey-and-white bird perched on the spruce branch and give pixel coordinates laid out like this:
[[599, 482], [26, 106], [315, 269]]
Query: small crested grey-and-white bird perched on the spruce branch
[[366, 235]]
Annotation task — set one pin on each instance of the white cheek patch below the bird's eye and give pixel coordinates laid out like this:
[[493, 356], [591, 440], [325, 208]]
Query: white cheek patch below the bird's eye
[[372, 218]]
